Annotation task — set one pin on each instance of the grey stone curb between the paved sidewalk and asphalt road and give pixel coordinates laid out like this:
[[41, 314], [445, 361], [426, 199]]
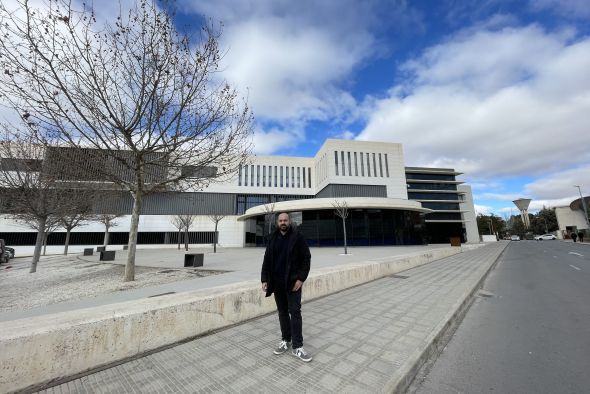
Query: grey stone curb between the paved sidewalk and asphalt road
[[438, 338]]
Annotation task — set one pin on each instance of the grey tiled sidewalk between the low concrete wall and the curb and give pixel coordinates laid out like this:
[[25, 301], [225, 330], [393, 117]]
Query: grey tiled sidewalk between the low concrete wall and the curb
[[364, 339]]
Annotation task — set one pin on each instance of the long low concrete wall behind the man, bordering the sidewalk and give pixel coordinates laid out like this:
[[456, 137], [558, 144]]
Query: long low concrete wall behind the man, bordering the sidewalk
[[34, 352]]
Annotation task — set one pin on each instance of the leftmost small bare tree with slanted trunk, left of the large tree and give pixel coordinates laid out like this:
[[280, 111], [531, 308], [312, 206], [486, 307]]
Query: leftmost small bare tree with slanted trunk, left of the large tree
[[29, 193]]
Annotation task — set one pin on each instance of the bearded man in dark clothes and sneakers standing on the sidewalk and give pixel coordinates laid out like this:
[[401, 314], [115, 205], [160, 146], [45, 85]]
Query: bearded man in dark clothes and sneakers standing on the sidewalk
[[284, 269]]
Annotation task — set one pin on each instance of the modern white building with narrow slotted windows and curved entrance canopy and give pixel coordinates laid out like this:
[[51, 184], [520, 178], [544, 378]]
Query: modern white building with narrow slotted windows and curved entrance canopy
[[388, 203]]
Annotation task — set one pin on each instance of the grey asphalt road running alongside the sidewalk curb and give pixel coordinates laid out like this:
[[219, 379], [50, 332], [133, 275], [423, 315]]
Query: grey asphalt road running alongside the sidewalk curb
[[529, 329]]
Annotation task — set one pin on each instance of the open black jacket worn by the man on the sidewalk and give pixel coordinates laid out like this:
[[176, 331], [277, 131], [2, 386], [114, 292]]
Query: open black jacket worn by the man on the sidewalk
[[298, 261]]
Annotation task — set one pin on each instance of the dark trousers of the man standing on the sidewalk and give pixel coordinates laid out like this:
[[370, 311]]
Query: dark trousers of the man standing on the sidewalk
[[289, 307]]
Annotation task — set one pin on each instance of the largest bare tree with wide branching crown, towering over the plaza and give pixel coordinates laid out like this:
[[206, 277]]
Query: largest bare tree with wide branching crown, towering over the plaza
[[142, 105]]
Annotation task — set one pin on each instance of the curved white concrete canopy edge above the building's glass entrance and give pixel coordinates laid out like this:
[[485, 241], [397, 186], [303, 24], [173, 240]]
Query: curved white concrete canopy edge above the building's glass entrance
[[327, 203]]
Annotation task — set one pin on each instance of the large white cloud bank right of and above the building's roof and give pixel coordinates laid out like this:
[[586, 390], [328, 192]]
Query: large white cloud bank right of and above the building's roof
[[493, 103]]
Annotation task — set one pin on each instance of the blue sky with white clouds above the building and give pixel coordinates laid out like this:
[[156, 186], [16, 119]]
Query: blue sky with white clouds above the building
[[497, 89]]
